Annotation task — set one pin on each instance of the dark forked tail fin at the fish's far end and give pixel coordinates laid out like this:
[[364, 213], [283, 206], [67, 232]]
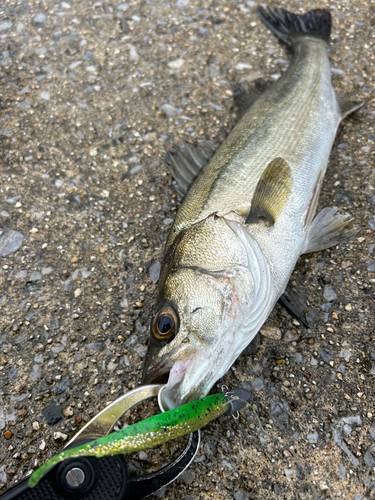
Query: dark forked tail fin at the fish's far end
[[286, 25]]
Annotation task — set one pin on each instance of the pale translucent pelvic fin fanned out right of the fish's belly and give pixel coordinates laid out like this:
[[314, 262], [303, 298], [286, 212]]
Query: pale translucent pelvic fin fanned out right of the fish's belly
[[327, 230]]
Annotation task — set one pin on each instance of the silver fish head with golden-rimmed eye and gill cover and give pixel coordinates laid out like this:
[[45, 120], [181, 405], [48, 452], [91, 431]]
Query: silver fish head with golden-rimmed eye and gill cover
[[200, 327]]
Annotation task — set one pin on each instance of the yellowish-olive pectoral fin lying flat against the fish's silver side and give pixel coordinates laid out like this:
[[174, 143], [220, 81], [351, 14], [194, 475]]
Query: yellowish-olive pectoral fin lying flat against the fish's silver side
[[271, 193]]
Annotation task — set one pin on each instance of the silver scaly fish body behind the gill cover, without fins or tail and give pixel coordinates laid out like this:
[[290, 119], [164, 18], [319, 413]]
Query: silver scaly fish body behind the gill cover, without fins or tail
[[297, 120]]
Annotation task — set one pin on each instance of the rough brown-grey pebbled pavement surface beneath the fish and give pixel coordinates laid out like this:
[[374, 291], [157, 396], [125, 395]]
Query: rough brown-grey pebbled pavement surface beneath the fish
[[90, 91]]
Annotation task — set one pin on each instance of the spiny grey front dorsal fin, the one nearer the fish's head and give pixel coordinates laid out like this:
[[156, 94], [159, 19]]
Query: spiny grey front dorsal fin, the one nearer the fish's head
[[185, 162]]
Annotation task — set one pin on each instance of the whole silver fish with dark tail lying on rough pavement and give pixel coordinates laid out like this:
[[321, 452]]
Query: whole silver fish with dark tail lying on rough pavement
[[247, 216]]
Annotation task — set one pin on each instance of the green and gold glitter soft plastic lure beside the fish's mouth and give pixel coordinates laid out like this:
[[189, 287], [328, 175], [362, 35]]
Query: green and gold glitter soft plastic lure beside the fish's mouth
[[150, 432]]
